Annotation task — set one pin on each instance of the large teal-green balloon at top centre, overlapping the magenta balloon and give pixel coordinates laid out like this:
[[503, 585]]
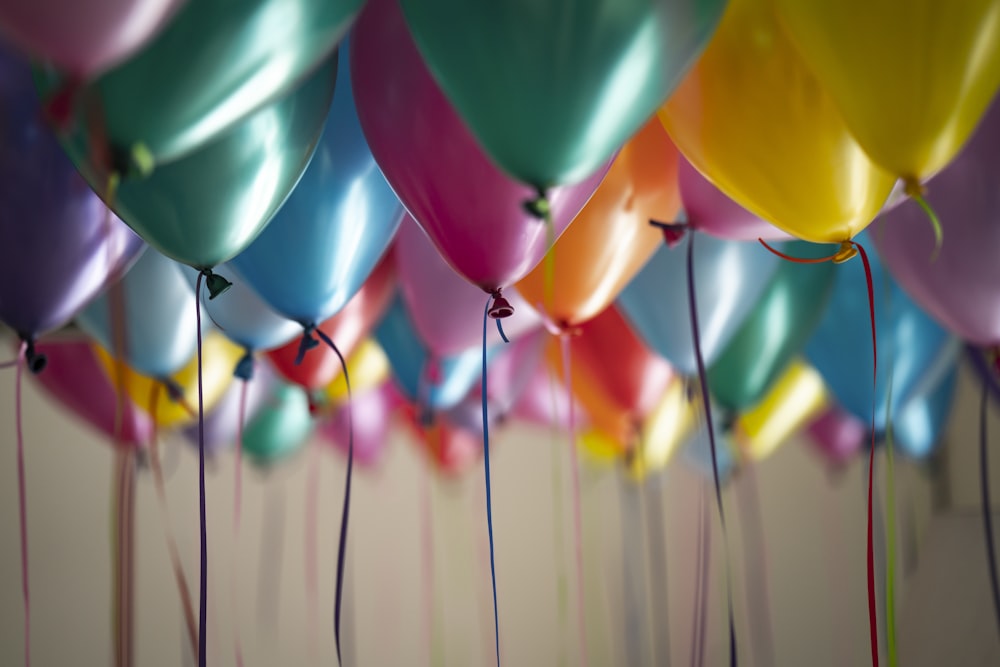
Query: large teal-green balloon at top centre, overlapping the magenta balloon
[[552, 88]]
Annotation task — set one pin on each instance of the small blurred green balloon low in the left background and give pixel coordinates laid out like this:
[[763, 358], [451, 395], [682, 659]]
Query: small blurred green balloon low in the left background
[[280, 428]]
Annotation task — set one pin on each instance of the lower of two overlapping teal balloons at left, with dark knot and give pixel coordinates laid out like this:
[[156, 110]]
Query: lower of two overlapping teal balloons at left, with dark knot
[[206, 208]]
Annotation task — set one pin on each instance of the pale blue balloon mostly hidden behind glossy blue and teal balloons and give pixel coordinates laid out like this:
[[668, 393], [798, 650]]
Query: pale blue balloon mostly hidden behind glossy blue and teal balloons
[[242, 316]]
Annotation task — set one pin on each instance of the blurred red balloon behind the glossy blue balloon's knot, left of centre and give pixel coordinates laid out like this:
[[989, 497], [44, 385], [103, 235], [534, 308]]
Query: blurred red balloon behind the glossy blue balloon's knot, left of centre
[[347, 329]]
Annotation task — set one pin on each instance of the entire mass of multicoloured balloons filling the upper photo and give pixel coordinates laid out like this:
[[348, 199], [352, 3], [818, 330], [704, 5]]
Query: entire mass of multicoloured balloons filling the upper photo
[[368, 173]]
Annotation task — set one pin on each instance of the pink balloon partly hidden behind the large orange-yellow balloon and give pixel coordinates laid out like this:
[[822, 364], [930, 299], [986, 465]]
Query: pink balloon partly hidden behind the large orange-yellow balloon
[[712, 212]]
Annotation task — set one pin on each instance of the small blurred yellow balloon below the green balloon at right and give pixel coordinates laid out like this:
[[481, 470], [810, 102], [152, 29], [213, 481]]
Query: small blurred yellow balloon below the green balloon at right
[[795, 399]]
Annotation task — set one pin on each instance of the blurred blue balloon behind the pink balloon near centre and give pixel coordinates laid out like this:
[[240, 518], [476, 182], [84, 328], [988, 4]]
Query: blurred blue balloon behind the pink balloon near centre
[[439, 388]]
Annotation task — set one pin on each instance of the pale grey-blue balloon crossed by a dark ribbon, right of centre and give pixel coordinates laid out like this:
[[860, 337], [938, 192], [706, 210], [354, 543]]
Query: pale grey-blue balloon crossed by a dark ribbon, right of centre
[[729, 278]]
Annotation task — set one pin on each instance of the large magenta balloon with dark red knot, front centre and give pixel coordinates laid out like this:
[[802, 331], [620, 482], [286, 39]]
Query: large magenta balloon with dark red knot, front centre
[[471, 210]]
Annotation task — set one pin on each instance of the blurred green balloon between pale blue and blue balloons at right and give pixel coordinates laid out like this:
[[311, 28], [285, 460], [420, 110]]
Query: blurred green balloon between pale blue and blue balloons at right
[[775, 331]]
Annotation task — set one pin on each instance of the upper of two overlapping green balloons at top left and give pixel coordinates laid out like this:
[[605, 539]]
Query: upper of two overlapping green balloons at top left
[[215, 64]]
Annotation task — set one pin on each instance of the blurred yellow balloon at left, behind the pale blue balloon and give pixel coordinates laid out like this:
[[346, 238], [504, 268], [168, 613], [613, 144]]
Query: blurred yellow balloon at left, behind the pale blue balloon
[[219, 359]]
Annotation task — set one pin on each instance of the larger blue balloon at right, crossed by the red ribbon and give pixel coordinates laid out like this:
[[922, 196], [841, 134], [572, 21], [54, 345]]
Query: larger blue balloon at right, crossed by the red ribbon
[[913, 350]]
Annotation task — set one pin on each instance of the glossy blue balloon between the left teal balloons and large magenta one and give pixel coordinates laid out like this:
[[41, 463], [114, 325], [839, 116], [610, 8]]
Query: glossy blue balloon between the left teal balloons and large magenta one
[[321, 246]]
